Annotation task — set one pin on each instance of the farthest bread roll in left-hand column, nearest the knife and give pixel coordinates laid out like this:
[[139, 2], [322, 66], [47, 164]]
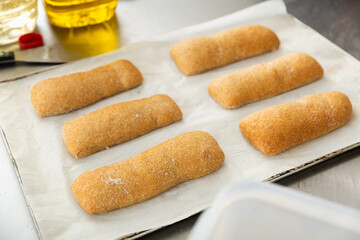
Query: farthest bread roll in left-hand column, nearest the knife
[[70, 92]]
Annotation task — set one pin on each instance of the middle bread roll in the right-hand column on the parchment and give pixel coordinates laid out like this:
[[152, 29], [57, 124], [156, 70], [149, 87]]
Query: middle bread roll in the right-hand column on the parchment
[[265, 80]]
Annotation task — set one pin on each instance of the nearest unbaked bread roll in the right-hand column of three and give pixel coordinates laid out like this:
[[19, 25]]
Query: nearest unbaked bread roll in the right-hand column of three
[[275, 129]]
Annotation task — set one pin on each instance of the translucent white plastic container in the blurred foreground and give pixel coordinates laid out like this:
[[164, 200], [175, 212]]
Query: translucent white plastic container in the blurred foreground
[[268, 211]]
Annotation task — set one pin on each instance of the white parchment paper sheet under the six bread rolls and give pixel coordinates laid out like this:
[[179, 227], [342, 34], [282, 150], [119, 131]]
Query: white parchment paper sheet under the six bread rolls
[[47, 169]]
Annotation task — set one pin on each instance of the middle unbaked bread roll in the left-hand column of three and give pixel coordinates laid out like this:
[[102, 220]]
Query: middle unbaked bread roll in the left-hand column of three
[[118, 123]]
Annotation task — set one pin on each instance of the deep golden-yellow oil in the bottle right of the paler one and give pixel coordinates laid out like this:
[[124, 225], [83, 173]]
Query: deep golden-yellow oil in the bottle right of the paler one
[[79, 13]]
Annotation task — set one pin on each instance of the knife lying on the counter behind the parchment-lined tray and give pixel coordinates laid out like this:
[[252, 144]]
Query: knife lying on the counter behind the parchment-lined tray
[[53, 54]]
